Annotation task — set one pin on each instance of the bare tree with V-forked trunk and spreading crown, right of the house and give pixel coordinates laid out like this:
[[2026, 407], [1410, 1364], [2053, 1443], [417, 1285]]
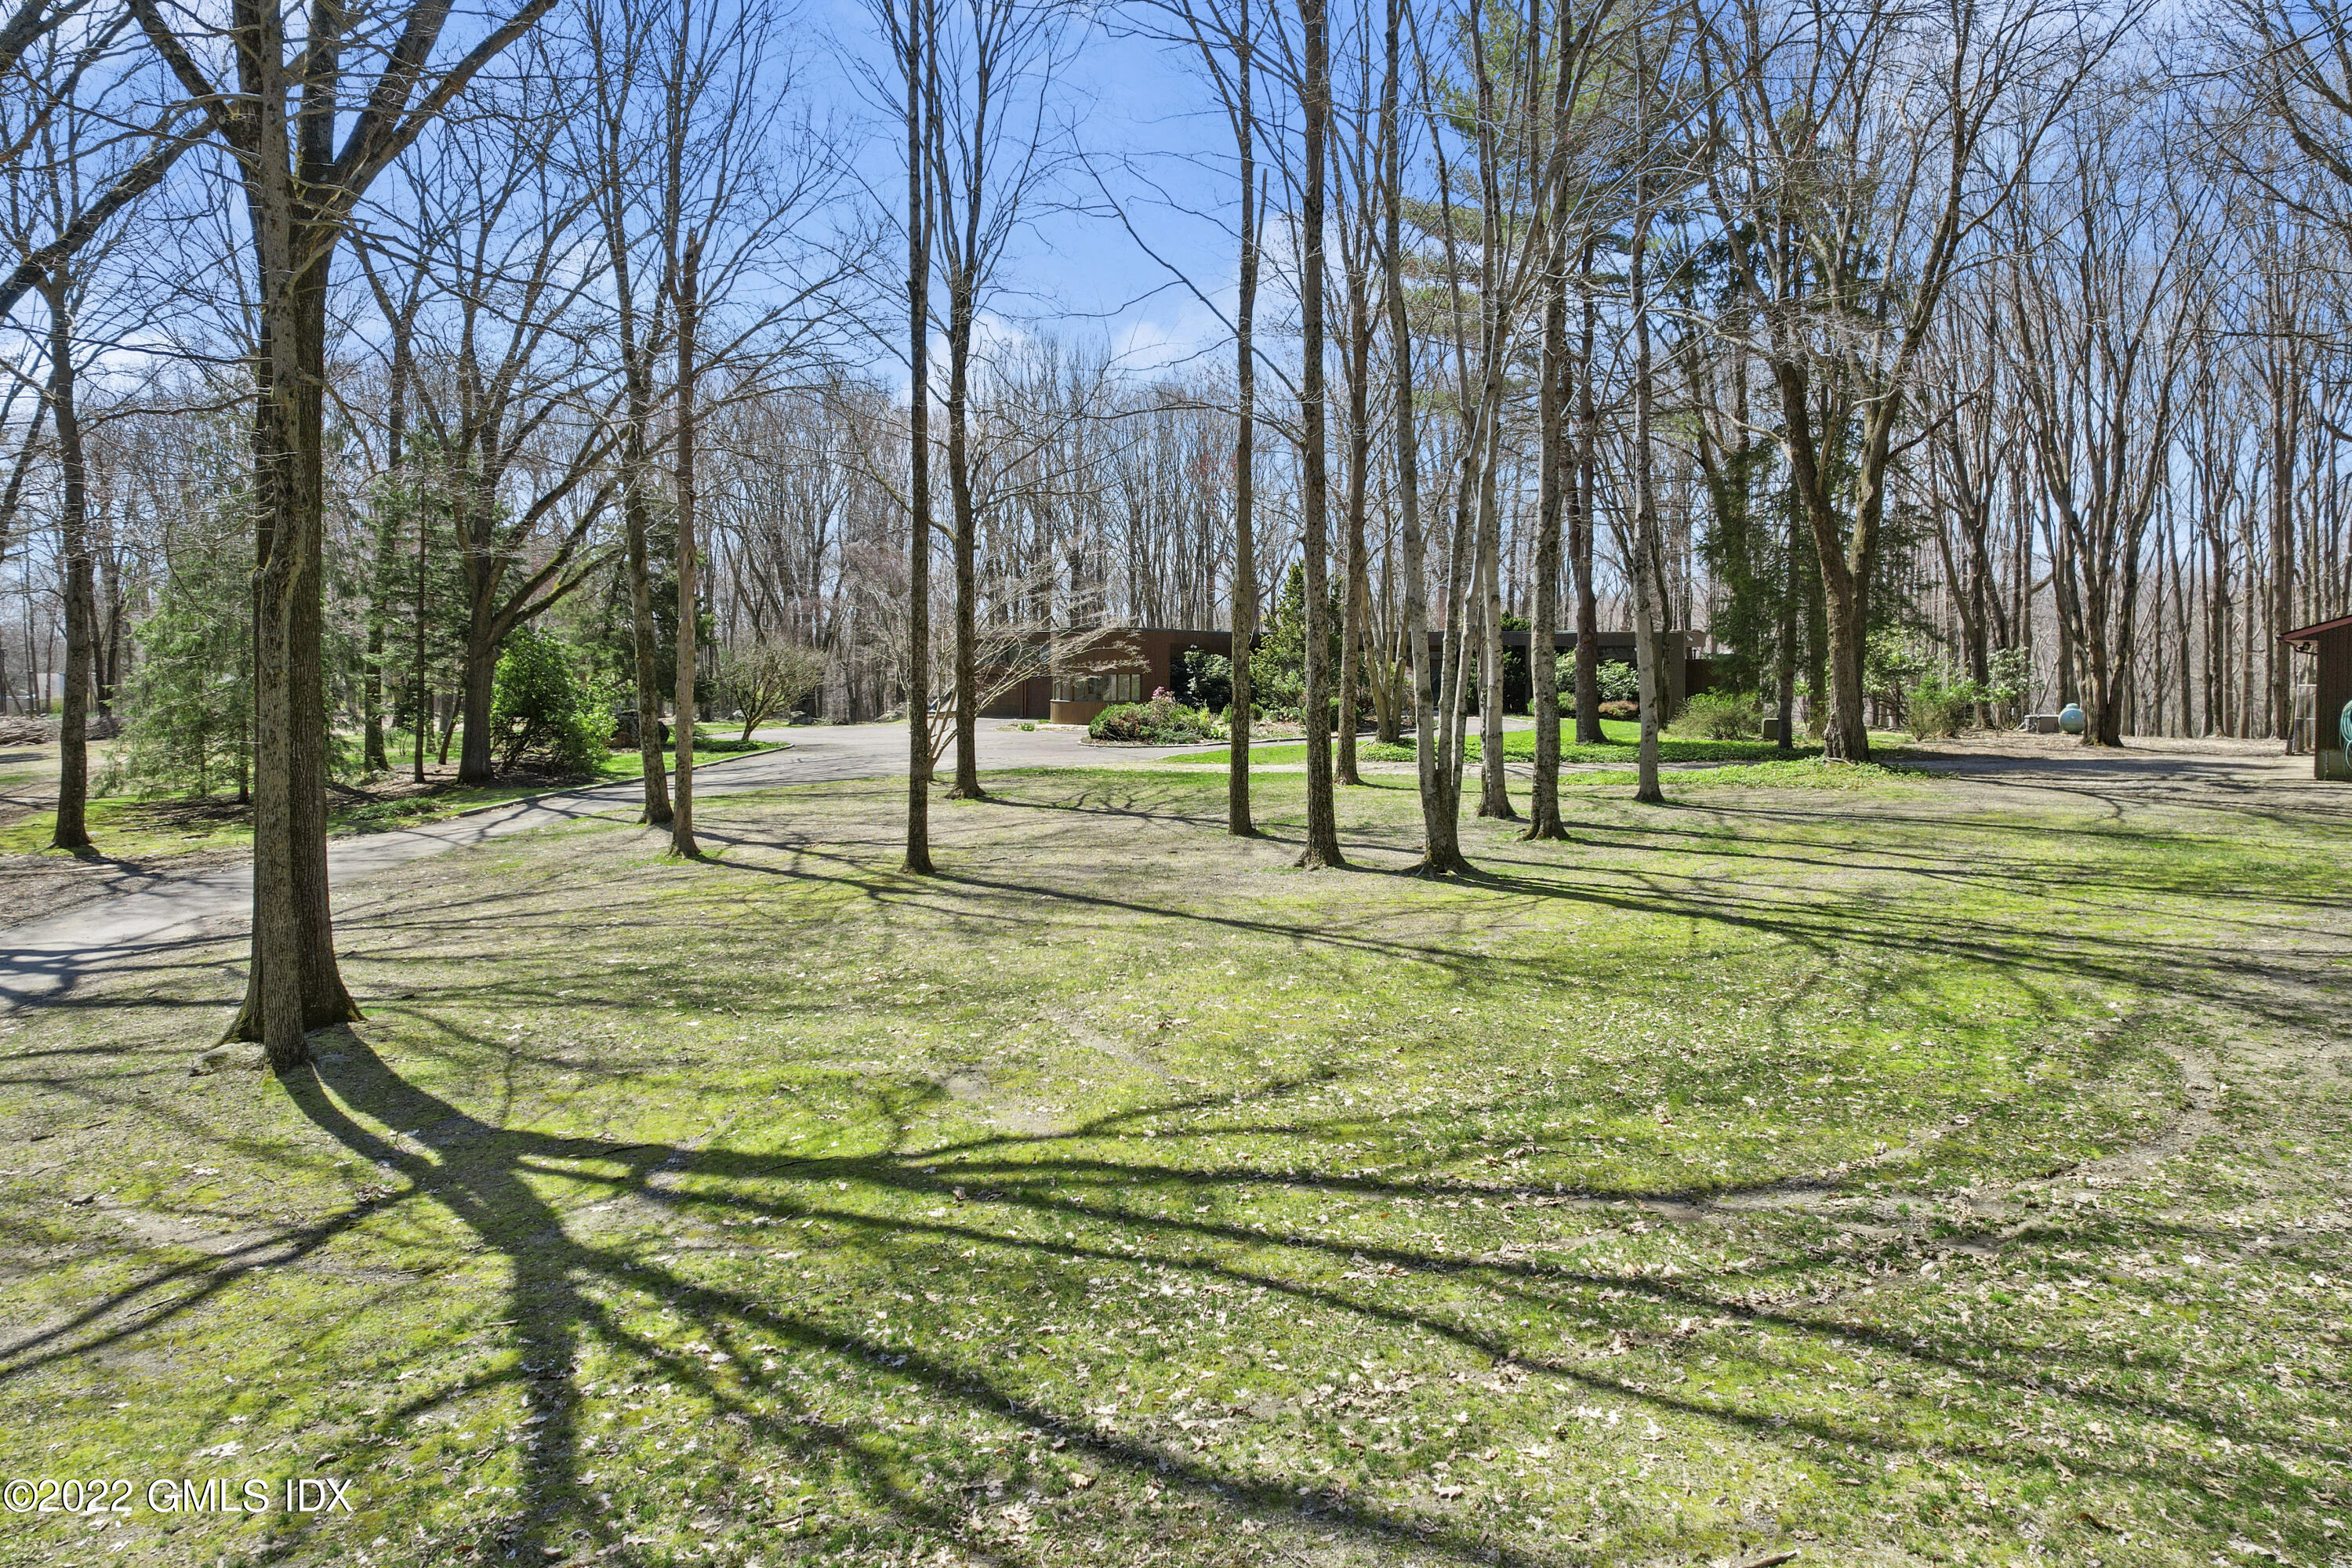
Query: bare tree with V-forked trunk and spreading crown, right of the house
[[1857, 149]]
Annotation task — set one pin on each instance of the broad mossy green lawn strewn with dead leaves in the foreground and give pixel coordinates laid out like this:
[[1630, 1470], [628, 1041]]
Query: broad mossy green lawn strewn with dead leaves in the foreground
[[1887, 1174]]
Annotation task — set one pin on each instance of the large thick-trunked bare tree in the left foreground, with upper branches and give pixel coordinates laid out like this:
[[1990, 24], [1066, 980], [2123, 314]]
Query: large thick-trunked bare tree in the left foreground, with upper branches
[[309, 135]]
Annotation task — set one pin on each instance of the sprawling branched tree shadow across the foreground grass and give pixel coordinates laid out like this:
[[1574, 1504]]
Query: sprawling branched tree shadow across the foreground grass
[[556, 1299]]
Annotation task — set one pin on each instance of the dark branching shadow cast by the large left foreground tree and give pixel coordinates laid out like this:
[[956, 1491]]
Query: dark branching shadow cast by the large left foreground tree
[[483, 1177]]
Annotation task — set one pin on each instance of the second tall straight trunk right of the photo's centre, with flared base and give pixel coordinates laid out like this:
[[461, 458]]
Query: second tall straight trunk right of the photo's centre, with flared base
[[1316, 483]]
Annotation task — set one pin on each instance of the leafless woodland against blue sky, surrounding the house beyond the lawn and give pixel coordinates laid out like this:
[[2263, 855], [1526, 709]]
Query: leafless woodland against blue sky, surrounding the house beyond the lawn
[[1991, 349]]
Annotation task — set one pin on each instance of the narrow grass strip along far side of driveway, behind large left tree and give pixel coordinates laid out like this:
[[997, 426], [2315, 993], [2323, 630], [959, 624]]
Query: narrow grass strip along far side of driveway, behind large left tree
[[145, 831]]
